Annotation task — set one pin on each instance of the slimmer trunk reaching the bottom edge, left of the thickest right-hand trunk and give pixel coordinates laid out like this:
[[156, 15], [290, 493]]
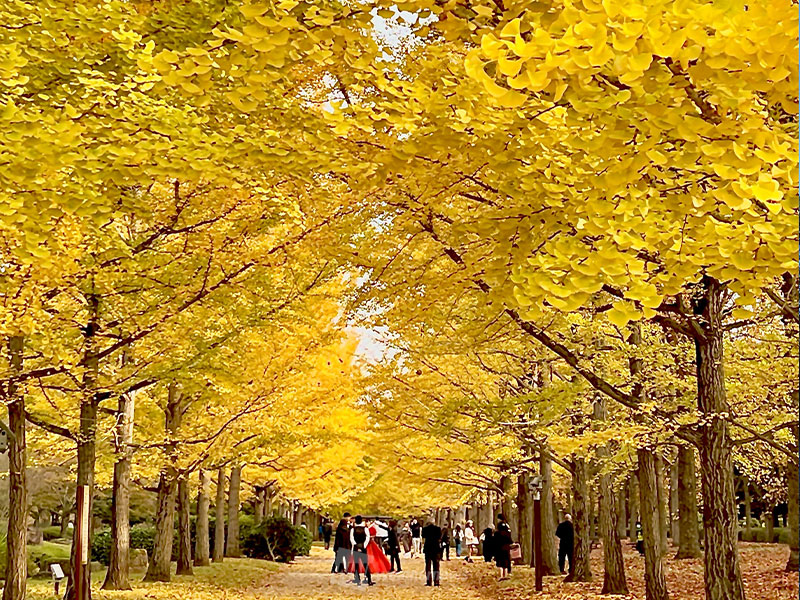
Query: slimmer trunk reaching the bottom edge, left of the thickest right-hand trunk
[[654, 578]]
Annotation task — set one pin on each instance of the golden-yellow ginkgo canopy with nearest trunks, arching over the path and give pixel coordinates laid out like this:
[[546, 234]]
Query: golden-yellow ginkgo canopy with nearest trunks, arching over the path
[[575, 223]]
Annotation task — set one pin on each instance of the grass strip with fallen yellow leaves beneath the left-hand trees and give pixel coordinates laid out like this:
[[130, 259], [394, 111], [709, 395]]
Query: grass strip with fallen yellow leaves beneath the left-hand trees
[[233, 579]]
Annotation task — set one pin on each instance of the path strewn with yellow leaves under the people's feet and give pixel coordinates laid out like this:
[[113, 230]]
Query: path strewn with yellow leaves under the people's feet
[[310, 578]]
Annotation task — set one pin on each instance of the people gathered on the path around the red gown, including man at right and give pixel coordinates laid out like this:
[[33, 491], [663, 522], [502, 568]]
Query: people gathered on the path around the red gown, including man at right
[[361, 546]]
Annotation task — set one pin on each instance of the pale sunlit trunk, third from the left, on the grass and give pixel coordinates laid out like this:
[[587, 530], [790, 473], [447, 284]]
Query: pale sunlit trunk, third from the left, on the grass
[[117, 574]]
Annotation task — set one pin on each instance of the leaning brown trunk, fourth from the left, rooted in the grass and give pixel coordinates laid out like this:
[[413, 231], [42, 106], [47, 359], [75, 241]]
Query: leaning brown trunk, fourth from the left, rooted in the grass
[[159, 567]]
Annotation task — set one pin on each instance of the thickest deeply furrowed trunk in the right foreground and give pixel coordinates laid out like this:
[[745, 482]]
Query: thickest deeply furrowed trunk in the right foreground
[[723, 577]]
